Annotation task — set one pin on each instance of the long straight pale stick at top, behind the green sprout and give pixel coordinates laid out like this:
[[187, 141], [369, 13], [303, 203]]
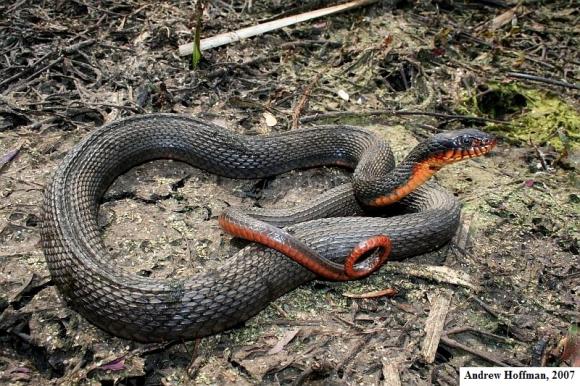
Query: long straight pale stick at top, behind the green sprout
[[230, 37]]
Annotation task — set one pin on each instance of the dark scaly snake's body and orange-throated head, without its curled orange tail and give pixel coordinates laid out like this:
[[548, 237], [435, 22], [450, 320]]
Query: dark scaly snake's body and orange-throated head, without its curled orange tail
[[148, 309]]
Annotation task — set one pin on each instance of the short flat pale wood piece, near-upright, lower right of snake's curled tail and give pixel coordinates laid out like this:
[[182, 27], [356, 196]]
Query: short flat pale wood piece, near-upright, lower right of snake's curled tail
[[434, 326]]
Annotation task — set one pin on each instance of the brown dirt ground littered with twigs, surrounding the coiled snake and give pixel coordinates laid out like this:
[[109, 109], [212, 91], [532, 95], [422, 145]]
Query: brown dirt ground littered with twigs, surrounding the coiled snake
[[506, 289]]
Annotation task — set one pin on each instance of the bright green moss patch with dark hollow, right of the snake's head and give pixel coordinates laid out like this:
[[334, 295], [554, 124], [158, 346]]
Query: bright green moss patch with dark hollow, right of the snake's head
[[533, 114]]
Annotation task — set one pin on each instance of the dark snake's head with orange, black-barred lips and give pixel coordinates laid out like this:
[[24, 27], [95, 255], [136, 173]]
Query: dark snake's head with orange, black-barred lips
[[452, 146]]
